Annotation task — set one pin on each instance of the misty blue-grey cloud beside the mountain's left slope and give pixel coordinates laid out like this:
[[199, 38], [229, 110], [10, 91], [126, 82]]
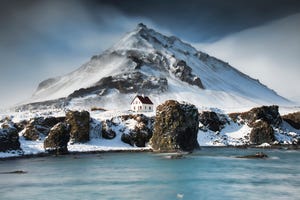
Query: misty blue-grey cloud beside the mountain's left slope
[[52, 38]]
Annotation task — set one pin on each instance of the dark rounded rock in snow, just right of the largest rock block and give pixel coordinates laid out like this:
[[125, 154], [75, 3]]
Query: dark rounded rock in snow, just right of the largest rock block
[[211, 121]]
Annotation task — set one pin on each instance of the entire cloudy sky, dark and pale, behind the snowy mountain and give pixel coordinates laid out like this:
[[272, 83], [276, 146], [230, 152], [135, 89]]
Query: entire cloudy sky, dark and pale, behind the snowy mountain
[[41, 39]]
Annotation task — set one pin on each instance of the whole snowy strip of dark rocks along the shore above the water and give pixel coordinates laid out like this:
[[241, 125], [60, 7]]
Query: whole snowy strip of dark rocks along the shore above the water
[[176, 127]]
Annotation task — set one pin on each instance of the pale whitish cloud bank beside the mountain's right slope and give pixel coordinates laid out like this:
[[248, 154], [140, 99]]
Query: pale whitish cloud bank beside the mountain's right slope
[[270, 53]]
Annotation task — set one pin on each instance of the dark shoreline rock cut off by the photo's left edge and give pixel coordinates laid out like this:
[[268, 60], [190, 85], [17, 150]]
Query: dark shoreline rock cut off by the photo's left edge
[[9, 138]]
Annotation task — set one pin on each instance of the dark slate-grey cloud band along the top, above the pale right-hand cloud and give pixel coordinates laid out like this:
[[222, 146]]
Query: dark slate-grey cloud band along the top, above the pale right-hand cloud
[[204, 20]]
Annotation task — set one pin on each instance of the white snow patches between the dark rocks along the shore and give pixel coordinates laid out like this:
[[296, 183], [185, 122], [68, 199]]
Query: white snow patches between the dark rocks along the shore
[[232, 134]]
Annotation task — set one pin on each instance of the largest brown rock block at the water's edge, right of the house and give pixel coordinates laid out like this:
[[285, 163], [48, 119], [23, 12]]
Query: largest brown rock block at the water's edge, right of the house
[[175, 128]]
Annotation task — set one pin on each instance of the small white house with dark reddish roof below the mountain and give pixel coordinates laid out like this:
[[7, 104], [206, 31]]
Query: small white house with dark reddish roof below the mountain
[[141, 104]]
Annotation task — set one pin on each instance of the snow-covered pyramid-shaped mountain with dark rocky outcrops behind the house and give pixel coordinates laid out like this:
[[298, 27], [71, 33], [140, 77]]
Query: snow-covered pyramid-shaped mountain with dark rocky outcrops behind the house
[[145, 61]]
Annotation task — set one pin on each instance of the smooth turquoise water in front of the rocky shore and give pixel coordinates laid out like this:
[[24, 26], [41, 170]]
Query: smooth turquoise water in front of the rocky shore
[[212, 173]]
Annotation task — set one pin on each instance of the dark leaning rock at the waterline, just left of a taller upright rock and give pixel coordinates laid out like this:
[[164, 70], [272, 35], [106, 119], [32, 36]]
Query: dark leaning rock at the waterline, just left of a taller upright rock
[[58, 138]]
